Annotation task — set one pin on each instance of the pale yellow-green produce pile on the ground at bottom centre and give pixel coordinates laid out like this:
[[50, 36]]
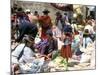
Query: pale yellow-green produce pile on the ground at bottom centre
[[58, 64]]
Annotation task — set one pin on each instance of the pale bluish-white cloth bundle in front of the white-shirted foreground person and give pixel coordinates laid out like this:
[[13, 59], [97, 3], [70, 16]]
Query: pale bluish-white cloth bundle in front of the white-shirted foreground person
[[34, 67]]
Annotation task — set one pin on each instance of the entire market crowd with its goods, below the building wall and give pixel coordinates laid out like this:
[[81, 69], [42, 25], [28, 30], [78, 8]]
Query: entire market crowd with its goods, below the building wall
[[37, 42]]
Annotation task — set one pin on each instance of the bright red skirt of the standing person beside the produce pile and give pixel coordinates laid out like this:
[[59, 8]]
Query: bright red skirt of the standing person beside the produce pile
[[66, 51]]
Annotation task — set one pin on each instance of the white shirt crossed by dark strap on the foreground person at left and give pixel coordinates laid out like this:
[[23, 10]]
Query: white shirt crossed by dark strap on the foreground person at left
[[28, 54]]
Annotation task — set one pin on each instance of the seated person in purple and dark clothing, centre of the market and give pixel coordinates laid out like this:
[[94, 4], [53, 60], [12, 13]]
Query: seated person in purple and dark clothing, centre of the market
[[49, 46]]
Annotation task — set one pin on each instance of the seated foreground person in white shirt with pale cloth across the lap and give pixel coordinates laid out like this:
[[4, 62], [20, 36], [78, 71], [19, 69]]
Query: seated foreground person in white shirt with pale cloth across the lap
[[24, 54]]
